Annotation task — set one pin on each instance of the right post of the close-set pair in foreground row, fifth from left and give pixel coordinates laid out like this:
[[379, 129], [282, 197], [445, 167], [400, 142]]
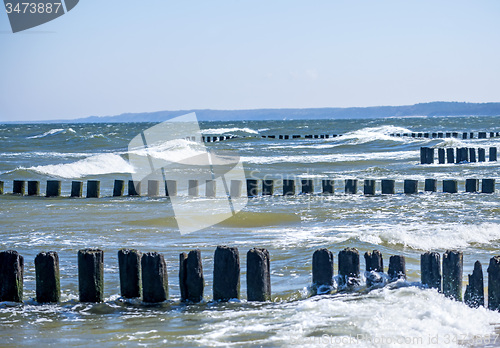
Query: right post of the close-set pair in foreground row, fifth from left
[[154, 278]]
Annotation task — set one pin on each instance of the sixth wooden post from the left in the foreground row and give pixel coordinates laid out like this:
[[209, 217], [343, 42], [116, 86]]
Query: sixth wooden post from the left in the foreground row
[[191, 276]]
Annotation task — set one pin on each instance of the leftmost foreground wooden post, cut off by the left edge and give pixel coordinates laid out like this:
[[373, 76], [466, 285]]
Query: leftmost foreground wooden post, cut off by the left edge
[[11, 276]]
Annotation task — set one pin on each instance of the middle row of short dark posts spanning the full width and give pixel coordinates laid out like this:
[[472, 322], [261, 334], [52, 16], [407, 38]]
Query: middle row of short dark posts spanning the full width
[[387, 186]]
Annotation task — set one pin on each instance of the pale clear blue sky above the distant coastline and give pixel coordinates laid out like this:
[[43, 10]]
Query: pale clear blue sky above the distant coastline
[[114, 56]]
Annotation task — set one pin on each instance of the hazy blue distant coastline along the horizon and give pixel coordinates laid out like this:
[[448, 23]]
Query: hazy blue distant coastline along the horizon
[[422, 109]]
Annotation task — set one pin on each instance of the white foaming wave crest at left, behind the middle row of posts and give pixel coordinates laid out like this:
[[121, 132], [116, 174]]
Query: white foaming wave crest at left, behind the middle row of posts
[[94, 165]]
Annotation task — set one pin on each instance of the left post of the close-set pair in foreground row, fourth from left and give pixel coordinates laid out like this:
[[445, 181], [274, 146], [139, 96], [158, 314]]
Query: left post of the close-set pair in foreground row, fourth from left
[[129, 262]]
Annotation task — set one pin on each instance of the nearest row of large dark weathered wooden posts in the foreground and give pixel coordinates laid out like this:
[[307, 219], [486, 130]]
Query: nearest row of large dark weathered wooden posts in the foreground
[[145, 275]]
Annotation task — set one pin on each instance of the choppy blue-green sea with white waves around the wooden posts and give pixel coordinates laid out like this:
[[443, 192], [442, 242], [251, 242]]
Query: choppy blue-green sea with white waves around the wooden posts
[[291, 228]]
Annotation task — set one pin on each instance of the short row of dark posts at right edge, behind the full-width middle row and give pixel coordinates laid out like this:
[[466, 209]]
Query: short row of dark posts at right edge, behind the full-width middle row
[[459, 155]]
